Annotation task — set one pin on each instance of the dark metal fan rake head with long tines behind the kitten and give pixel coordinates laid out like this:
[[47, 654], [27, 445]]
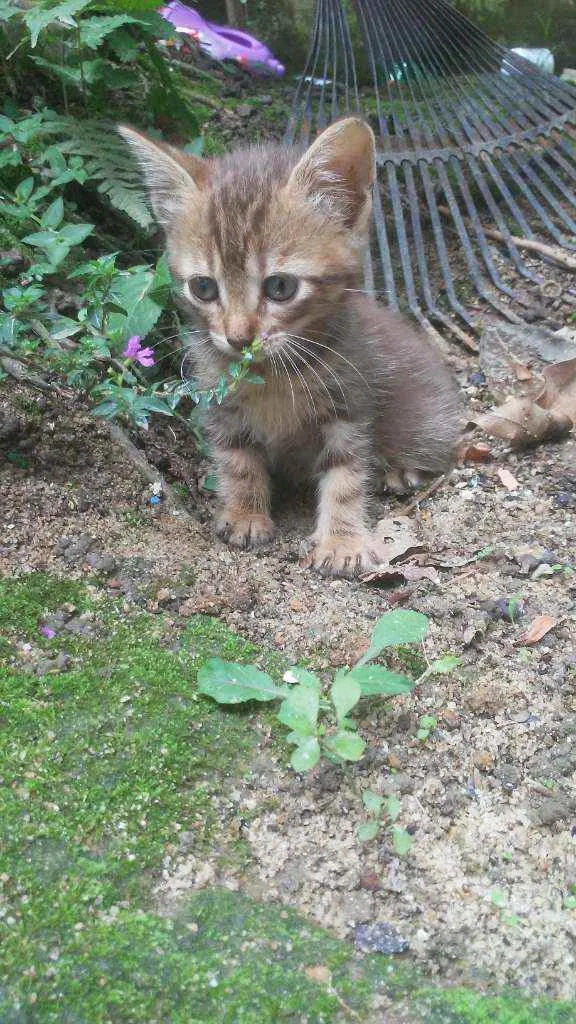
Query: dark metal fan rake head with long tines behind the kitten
[[475, 147]]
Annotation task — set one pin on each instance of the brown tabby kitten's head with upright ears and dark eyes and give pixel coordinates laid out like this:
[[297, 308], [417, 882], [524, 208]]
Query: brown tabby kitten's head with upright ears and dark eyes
[[264, 242]]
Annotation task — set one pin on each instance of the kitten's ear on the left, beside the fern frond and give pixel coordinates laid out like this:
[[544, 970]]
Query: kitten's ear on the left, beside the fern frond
[[172, 177]]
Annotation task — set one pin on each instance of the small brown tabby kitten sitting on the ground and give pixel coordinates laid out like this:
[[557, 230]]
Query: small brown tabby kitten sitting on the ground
[[269, 242]]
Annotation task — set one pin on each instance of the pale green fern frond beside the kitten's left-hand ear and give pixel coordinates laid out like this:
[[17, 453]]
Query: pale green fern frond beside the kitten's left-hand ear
[[108, 163]]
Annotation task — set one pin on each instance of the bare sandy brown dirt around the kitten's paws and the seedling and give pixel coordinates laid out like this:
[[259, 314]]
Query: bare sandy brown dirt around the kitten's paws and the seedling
[[487, 893]]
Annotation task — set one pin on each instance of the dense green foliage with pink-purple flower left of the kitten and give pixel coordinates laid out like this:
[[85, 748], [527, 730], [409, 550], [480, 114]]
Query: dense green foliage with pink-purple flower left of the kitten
[[75, 292]]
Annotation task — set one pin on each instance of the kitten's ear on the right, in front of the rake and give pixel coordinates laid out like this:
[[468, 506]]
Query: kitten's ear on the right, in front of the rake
[[339, 170]]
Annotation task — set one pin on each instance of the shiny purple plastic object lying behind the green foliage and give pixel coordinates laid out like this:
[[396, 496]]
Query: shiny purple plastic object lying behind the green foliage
[[222, 42]]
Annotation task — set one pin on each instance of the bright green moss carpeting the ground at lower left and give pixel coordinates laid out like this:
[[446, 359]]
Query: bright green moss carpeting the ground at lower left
[[103, 769]]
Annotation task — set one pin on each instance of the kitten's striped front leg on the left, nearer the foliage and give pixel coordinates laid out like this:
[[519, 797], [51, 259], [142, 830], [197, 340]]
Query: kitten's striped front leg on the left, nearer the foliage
[[244, 520]]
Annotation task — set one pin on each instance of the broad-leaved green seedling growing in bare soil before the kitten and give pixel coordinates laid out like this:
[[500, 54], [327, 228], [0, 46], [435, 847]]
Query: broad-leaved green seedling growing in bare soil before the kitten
[[319, 727]]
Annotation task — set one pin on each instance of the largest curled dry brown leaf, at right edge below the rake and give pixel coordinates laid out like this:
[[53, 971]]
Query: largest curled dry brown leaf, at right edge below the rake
[[549, 416]]
